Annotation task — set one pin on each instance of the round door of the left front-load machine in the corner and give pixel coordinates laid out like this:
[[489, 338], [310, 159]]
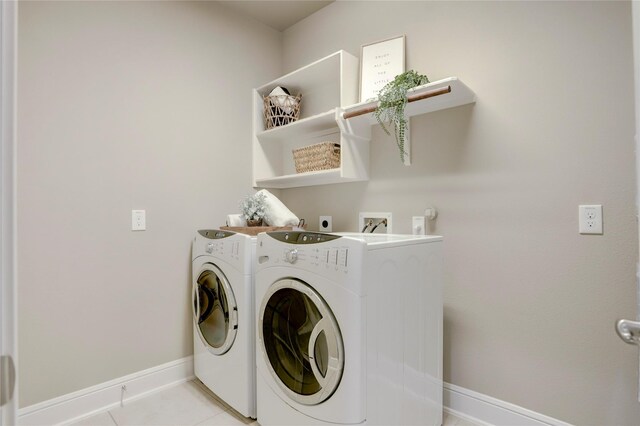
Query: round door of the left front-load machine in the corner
[[215, 310]]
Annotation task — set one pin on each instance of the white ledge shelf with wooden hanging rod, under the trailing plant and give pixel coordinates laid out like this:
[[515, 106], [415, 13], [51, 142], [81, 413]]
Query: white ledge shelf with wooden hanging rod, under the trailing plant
[[442, 94]]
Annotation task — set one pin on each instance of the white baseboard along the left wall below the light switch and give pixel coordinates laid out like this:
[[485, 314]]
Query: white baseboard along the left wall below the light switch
[[87, 402]]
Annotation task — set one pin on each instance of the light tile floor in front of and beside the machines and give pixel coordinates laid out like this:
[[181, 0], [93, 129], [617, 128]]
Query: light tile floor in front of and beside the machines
[[188, 404]]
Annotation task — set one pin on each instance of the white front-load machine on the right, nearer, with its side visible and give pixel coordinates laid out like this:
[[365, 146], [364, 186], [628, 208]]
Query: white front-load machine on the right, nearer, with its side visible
[[349, 329]]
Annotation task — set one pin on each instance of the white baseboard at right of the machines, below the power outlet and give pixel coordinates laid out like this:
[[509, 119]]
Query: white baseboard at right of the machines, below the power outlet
[[485, 410]]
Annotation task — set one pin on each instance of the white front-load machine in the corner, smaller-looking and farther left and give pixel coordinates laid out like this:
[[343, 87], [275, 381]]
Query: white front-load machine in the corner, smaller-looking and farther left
[[223, 316]]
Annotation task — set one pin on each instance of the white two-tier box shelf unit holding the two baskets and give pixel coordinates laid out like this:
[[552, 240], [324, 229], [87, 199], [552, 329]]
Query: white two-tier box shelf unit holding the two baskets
[[326, 86]]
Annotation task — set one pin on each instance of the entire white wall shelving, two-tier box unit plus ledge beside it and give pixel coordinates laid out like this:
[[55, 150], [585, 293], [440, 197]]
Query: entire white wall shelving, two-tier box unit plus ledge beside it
[[329, 112]]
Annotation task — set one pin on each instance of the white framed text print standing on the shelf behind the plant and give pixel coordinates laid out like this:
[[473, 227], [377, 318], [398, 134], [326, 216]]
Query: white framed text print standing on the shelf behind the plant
[[380, 62]]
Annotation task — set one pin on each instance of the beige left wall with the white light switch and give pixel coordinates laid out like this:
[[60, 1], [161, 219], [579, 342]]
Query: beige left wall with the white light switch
[[124, 105]]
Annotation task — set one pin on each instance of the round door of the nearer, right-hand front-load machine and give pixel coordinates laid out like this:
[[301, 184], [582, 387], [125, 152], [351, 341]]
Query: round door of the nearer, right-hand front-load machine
[[301, 341]]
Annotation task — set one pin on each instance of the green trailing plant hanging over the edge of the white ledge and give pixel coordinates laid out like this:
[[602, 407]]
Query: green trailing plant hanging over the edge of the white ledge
[[392, 100]]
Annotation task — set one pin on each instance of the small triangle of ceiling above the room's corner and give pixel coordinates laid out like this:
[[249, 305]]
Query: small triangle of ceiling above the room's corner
[[277, 14]]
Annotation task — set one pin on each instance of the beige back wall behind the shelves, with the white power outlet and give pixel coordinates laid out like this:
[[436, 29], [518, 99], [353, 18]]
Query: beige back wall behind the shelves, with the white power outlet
[[529, 303]]
